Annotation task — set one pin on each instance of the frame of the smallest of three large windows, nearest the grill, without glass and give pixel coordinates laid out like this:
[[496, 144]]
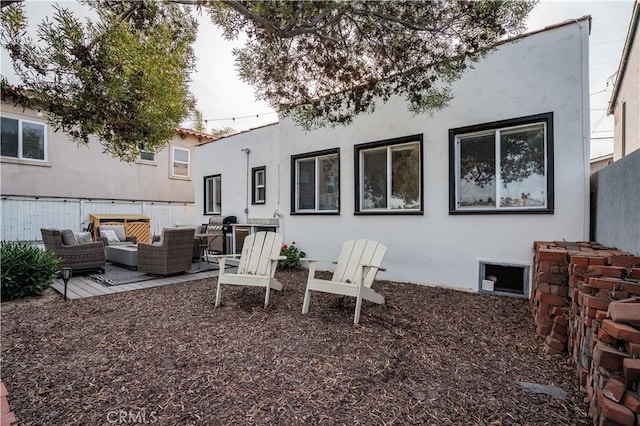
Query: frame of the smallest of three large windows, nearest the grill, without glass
[[316, 157]]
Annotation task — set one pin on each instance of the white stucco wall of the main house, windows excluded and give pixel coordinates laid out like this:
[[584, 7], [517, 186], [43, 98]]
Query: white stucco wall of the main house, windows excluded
[[544, 72]]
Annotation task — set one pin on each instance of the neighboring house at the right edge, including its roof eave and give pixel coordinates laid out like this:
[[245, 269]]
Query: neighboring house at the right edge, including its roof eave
[[625, 99]]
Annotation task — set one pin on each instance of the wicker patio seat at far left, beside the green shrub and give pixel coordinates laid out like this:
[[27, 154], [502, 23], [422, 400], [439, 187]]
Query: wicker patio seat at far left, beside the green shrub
[[78, 257]]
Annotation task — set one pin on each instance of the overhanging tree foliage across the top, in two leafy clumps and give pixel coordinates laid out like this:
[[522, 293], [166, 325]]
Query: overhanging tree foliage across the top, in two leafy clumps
[[124, 77]]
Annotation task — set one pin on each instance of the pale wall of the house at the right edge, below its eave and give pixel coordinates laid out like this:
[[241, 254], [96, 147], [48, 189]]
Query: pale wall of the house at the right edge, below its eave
[[629, 94]]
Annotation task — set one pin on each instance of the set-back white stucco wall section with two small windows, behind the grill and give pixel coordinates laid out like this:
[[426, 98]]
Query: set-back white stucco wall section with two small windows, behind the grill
[[225, 157]]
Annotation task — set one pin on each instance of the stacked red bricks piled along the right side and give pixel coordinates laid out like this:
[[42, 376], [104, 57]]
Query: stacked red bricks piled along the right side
[[602, 316]]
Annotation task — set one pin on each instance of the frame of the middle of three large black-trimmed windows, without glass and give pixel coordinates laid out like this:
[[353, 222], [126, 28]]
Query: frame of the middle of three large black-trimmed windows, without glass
[[388, 145]]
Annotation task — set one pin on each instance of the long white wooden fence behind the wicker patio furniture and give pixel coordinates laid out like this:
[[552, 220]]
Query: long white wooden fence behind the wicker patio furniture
[[22, 217]]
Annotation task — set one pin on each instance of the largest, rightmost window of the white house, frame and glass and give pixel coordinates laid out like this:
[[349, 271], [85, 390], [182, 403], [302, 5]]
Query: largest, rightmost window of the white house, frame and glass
[[505, 166]]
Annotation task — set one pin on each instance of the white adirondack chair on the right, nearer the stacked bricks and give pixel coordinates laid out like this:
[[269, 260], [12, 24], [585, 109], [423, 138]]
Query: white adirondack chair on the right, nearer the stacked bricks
[[356, 268]]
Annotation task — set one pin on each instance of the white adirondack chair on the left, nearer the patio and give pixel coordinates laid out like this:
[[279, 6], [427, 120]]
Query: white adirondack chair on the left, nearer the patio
[[258, 263]]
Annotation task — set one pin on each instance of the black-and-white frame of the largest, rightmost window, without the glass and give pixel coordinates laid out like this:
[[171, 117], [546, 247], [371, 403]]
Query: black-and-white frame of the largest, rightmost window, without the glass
[[496, 129]]
